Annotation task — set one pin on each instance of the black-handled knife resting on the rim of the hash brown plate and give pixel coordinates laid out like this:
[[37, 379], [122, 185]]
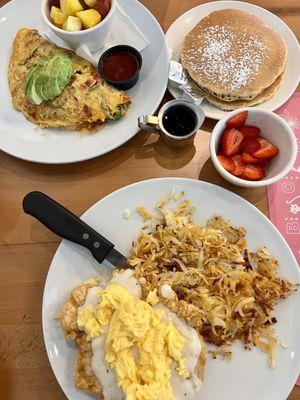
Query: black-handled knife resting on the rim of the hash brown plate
[[66, 225]]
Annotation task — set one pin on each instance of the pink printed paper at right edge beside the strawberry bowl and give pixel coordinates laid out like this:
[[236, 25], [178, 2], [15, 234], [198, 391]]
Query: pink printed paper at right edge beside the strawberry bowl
[[284, 195]]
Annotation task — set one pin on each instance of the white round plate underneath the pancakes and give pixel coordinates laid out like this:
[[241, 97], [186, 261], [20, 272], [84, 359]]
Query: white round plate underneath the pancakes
[[185, 23]]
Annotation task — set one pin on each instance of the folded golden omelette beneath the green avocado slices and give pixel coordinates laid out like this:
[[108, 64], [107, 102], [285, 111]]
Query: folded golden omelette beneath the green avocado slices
[[83, 102]]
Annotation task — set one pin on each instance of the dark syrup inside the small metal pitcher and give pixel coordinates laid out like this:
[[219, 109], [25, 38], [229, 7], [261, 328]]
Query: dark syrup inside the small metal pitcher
[[179, 120]]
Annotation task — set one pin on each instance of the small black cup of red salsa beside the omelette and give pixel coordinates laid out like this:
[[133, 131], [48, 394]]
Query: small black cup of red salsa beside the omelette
[[120, 66]]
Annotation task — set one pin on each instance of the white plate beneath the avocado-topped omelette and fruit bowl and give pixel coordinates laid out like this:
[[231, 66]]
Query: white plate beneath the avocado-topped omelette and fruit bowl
[[22, 139]]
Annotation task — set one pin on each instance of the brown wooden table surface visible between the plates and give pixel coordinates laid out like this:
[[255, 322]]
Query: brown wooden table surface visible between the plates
[[26, 248]]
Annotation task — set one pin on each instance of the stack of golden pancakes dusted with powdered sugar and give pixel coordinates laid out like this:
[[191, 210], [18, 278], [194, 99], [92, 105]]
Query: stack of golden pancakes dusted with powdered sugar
[[234, 58]]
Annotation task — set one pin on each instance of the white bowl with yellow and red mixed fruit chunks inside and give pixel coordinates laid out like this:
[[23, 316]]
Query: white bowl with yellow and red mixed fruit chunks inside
[[80, 22]]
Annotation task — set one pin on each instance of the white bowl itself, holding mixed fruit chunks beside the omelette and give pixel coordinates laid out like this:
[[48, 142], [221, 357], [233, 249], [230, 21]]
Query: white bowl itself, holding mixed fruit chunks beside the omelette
[[94, 37]]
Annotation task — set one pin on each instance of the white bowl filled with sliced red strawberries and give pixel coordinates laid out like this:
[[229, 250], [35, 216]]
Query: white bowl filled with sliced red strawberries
[[252, 147]]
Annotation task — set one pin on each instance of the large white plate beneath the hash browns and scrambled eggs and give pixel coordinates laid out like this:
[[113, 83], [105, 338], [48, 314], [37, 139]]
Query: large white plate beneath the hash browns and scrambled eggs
[[247, 375]]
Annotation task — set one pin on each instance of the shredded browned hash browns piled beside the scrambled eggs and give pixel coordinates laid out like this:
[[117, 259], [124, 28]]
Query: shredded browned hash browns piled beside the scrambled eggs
[[221, 289]]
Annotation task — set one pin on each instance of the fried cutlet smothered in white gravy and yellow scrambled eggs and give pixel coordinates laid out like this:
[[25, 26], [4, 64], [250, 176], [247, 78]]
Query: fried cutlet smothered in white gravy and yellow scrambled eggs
[[131, 347]]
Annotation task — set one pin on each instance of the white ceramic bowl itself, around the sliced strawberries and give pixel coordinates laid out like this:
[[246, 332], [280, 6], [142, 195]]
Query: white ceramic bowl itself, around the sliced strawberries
[[274, 129]]
